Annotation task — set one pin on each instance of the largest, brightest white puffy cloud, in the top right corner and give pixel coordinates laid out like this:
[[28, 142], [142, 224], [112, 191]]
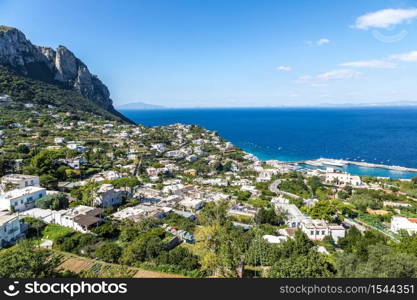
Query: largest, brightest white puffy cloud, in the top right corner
[[385, 18]]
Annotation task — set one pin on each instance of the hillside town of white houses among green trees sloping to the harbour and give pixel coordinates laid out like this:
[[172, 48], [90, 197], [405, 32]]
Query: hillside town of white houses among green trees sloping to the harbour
[[132, 195]]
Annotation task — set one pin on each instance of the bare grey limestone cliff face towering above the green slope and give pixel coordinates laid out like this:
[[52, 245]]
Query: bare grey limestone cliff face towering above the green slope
[[47, 64]]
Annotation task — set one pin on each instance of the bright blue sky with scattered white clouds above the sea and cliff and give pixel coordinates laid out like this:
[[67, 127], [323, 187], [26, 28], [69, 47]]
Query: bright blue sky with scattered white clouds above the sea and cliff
[[187, 53]]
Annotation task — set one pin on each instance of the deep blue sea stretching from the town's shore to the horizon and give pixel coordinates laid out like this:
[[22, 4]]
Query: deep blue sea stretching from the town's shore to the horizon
[[375, 135]]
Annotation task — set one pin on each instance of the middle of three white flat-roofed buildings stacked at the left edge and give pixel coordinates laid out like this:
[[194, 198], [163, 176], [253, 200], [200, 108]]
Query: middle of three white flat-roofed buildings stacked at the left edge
[[21, 199]]
